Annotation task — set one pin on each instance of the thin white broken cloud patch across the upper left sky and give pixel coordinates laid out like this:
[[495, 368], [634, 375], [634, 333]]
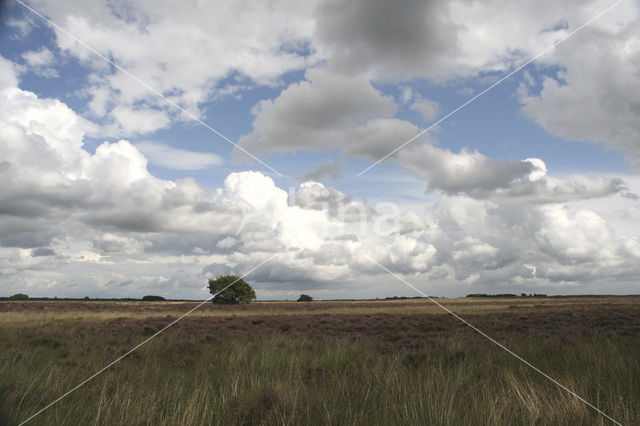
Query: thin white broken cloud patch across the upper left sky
[[187, 52]]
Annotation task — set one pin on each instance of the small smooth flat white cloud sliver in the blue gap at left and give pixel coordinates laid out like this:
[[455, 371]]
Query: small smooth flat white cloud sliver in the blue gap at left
[[177, 159]]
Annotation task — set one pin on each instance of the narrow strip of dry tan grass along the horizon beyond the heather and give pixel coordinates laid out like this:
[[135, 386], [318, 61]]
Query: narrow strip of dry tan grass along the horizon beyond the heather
[[43, 311]]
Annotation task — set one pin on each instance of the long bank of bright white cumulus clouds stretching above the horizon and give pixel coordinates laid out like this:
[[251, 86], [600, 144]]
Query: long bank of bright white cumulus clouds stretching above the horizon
[[102, 223]]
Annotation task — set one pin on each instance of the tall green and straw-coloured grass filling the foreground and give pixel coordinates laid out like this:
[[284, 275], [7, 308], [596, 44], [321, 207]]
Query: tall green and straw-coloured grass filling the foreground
[[180, 379]]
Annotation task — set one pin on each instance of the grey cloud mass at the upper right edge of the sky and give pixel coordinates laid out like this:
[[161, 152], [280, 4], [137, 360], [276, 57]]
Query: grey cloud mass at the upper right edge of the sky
[[595, 95]]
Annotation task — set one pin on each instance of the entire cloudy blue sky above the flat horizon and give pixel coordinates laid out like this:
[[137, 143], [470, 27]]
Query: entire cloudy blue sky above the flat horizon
[[320, 147]]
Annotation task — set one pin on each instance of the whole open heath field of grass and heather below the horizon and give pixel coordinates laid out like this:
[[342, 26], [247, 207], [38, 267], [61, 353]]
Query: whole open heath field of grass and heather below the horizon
[[359, 362]]
